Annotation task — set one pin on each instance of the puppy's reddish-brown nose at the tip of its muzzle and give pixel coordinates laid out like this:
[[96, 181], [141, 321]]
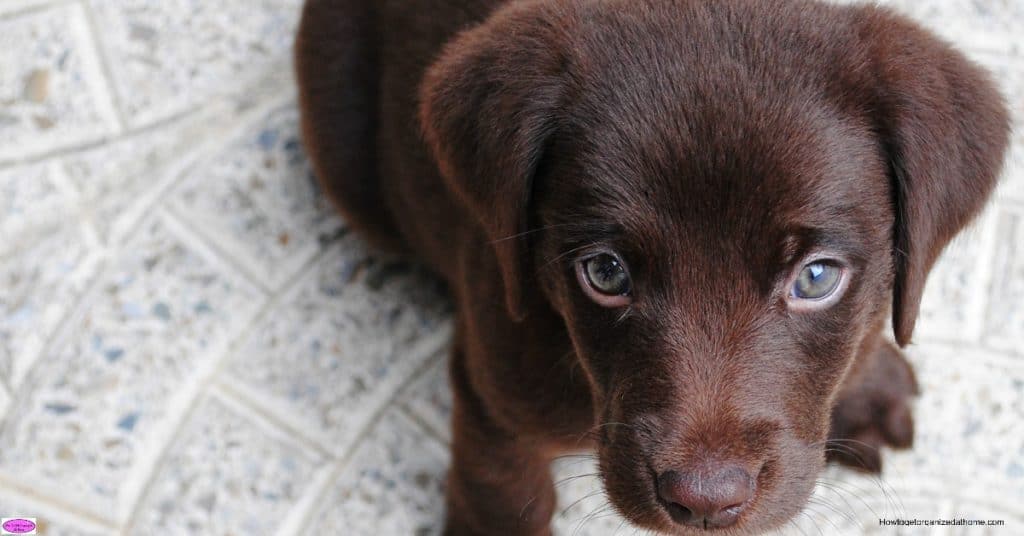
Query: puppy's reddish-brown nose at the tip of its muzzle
[[711, 498]]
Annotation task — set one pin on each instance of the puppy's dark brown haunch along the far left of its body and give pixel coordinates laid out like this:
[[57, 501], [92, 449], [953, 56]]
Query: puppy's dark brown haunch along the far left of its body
[[338, 78]]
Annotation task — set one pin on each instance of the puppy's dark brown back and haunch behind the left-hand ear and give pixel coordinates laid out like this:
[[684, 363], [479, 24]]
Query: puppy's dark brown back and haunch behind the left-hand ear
[[360, 65]]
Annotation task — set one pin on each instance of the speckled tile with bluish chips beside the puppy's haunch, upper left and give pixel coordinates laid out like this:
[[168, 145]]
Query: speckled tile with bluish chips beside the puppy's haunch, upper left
[[258, 198]]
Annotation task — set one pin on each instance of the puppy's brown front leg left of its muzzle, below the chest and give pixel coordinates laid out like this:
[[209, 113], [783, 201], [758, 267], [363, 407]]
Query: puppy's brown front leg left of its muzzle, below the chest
[[498, 483]]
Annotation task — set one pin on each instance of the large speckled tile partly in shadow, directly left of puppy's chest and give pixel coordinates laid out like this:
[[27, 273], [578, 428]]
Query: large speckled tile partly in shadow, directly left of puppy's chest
[[355, 331]]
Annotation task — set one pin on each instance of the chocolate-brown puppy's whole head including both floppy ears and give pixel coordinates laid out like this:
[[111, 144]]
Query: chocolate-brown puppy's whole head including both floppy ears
[[722, 201]]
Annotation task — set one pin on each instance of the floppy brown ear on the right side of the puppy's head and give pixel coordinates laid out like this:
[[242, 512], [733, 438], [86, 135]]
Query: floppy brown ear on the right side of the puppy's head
[[946, 130]]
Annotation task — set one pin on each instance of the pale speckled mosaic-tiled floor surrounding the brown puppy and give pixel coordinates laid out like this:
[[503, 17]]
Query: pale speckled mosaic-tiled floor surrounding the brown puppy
[[191, 343]]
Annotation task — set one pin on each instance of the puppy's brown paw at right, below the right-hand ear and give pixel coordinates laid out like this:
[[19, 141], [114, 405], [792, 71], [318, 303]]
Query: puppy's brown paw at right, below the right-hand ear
[[874, 410]]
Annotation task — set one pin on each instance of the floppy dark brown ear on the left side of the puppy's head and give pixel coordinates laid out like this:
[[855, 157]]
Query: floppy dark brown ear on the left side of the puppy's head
[[488, 108]]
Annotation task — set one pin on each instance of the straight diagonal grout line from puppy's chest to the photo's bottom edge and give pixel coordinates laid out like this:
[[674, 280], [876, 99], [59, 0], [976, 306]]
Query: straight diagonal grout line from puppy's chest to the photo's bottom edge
[[319, 496]]
